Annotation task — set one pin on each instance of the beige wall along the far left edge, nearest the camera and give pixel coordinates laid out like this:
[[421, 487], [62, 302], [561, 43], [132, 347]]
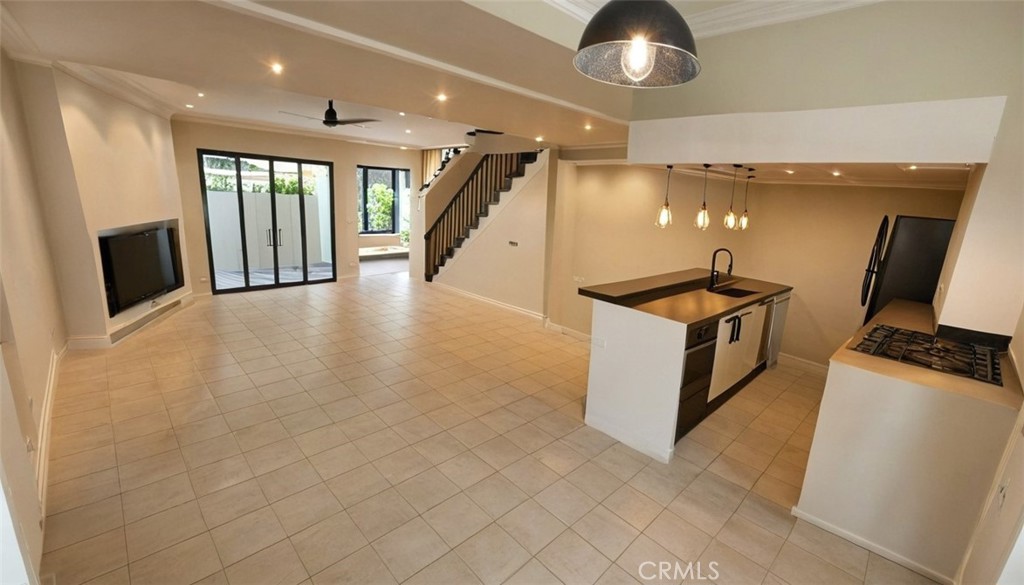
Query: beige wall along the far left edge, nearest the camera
[[32, 329]]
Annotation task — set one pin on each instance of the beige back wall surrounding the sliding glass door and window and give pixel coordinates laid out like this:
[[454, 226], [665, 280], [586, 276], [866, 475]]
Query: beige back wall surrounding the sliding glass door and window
[[189, 137]]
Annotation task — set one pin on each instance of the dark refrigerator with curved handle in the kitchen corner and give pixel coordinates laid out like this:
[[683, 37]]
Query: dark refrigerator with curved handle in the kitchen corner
[[912, 264]]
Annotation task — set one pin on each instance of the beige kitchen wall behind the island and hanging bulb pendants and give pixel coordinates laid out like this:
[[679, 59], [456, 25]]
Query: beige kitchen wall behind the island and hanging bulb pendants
[[815, 238]]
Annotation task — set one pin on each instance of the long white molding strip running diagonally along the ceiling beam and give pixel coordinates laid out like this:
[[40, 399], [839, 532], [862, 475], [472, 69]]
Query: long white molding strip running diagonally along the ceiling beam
[[302, 24]]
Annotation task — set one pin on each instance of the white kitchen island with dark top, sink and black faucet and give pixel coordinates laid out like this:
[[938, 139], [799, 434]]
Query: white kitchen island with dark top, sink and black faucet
[[666, 352]]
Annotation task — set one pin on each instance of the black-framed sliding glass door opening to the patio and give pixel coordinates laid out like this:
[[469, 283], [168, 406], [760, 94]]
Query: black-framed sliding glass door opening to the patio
[[270, 222]]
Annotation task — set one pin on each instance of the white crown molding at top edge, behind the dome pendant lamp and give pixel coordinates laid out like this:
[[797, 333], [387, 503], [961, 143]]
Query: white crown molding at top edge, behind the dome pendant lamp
[[734, 18]]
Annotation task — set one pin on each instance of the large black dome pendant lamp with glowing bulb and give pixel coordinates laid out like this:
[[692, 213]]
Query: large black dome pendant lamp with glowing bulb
[[638, 44]]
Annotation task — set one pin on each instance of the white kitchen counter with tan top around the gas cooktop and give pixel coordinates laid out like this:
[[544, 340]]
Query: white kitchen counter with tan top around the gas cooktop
[[904, 456]]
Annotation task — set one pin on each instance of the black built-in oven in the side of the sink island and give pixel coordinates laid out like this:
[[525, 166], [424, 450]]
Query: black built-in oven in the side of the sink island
[[698, 364]]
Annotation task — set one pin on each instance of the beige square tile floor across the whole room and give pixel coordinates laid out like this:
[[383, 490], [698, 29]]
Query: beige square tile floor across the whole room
[[380, 431]]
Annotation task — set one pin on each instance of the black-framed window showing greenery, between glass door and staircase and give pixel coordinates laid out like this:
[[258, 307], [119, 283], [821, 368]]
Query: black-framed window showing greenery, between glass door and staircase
[[382, 196]]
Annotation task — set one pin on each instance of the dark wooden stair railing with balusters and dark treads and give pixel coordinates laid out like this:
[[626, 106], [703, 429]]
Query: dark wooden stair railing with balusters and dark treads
[[492, 178]]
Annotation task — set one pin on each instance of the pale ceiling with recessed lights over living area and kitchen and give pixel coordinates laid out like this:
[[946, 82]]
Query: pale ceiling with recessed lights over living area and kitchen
[[505, 65]]
